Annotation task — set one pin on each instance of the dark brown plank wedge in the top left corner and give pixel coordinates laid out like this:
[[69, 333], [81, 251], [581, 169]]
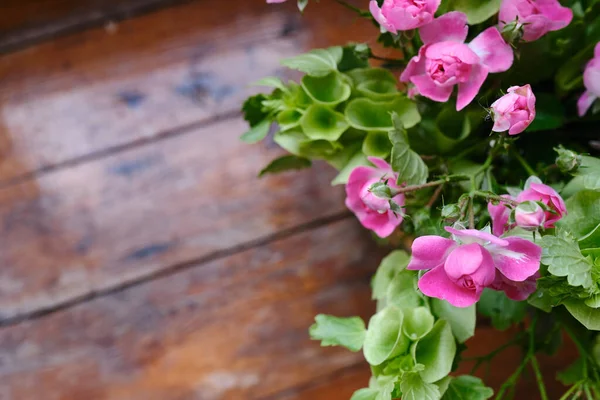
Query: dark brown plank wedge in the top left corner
[[23, 23]]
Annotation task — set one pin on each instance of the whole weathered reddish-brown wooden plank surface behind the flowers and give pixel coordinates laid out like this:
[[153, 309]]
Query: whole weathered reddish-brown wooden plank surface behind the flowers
[[140, 258]]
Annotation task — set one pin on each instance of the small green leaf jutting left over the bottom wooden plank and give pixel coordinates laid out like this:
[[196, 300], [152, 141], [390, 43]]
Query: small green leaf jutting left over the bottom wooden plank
[[335, 331]]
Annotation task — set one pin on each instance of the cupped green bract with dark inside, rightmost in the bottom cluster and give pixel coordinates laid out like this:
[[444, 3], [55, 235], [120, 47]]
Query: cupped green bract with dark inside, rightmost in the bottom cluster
[[436, 352]]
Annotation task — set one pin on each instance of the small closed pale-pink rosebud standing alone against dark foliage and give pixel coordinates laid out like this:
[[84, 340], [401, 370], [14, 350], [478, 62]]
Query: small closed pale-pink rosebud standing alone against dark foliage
[[514, 111]]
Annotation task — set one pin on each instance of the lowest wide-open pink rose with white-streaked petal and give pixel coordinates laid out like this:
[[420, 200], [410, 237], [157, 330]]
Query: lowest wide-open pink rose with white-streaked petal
[[460, 268]]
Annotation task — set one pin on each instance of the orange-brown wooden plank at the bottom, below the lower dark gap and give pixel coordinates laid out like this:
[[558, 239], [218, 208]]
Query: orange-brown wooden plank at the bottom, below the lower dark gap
[[232, 328]]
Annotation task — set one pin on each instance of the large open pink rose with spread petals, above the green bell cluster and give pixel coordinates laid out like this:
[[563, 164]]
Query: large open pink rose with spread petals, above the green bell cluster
[[445, 60]]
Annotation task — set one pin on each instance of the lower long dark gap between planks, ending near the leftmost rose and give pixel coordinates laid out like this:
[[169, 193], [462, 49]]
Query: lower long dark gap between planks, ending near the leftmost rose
[[173, 269]]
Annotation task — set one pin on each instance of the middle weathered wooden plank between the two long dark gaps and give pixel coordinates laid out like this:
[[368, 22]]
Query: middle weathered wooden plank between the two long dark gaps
[[107, 223]]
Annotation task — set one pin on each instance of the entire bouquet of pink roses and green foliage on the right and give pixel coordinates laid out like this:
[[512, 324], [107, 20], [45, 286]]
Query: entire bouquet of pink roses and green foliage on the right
[[478, 142]]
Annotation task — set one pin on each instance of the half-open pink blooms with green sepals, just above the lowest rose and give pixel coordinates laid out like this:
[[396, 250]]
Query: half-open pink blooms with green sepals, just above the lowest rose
[[529, 214]]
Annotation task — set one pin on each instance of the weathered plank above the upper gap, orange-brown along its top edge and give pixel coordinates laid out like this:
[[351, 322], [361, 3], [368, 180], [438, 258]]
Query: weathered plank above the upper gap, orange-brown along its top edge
[[90, 93]]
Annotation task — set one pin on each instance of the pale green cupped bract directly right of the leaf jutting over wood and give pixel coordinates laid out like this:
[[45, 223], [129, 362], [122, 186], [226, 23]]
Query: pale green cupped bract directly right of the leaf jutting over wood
[[384, 338]]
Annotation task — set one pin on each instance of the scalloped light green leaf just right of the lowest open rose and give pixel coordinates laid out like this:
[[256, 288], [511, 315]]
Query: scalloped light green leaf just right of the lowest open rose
[[563, 258]]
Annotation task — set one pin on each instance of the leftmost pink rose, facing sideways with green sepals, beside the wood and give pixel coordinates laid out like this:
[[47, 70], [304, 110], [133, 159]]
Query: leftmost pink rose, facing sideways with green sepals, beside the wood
[[373, 212]]
